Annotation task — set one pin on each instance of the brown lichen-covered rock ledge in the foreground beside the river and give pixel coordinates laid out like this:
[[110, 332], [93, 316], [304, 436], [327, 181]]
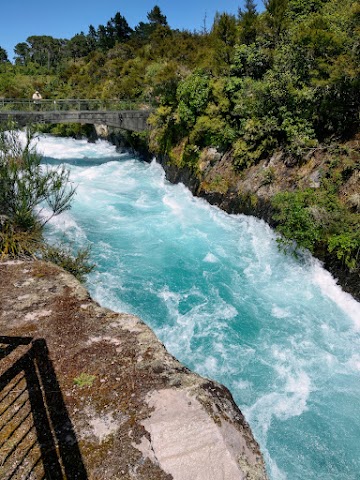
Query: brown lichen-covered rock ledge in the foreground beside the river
[[134, 411]]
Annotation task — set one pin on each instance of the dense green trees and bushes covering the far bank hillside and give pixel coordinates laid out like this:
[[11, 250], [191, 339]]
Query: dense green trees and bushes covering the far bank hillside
[[280, 83]]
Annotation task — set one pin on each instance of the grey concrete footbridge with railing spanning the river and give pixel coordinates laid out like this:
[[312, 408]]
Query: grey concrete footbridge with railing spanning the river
[[113, 114]]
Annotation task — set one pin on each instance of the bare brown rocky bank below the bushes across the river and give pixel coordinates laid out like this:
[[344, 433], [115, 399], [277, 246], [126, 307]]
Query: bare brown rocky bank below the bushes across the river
[[251, 191]]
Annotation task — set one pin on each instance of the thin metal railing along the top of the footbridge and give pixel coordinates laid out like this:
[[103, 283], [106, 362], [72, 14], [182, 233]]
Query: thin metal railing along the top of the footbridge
[[69, 104]]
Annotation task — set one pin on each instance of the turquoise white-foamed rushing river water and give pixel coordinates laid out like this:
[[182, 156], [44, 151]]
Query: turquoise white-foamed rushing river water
[[277, 332]]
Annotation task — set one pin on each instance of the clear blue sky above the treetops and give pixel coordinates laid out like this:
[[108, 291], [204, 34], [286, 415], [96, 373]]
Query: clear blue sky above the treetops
[[65, 18]]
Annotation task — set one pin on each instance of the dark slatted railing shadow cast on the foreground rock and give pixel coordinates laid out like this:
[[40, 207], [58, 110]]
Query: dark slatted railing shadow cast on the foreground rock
[[37, 439]]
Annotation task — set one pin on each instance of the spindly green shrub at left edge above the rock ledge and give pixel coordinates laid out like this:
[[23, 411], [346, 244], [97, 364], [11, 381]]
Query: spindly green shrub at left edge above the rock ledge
[[25, 185]]
